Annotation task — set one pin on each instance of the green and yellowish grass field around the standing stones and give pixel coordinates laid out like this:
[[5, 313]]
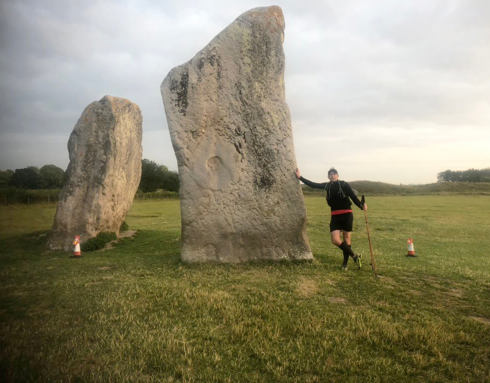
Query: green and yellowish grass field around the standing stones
[[135, 313]]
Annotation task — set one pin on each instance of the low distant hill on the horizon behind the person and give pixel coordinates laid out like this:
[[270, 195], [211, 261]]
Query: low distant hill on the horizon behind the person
[[381, 188]]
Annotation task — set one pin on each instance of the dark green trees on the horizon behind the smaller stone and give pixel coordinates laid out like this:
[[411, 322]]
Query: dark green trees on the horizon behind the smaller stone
[[153, 177]]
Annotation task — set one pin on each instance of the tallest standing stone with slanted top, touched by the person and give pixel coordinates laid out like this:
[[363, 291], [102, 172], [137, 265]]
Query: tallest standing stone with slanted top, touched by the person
[[231, 132]]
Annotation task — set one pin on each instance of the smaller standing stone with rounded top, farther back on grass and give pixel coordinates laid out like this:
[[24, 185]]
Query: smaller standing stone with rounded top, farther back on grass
[[103, 174]]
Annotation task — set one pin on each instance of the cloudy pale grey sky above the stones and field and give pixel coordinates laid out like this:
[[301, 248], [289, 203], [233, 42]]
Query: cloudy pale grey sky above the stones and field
[[383, 90]]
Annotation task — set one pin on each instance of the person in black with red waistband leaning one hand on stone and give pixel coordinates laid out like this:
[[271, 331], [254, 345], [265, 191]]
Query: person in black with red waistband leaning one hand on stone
[[339, 194]]
